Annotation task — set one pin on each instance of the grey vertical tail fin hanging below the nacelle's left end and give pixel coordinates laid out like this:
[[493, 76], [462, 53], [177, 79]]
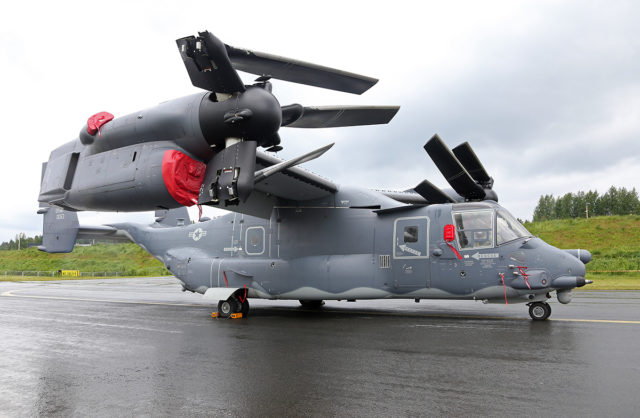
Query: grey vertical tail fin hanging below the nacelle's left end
[[59, 229]]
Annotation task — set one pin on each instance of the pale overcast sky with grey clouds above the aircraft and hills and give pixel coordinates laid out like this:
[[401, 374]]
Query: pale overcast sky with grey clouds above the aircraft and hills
[[547, 92]]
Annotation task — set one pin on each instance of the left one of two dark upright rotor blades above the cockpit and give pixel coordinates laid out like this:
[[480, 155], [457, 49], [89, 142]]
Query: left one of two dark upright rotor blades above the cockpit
[[452, 169]]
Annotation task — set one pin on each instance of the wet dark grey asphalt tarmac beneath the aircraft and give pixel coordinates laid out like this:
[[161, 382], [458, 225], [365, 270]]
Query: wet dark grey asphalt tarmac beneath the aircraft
[[140, 347]]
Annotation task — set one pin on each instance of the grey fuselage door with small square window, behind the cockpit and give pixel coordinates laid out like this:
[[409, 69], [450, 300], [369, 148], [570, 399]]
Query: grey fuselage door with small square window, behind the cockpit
[[410, 256]]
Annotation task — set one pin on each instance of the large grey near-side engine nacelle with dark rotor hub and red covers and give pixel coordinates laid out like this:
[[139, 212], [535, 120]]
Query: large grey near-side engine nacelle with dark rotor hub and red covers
[[155, 158]]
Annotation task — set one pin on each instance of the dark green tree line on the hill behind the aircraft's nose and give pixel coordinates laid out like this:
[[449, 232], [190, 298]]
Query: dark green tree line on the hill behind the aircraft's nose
[[616, 201]]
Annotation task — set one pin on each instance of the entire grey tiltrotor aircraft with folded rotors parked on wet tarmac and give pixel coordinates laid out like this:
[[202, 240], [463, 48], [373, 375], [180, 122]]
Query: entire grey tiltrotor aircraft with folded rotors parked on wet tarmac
[[291, 234]]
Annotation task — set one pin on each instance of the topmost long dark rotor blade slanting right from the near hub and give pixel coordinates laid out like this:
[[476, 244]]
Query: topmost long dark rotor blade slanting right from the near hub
[[295, 71]]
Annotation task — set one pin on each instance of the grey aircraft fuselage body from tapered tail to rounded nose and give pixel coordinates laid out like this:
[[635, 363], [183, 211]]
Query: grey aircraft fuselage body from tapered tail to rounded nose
[[346, 253]]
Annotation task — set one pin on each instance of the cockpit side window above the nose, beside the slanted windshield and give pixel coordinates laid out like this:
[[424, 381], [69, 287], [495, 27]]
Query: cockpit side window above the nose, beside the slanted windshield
[[474, 229]]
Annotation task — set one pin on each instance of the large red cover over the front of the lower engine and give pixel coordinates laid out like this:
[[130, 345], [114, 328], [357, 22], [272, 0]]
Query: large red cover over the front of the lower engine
[[183, 176]]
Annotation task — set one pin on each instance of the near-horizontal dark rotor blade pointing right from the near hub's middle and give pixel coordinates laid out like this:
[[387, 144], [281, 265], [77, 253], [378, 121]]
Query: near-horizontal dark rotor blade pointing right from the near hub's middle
[[339, 116]]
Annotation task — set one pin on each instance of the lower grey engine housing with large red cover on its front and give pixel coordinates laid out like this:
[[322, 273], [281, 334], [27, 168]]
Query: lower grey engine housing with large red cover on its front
[[138, 177]]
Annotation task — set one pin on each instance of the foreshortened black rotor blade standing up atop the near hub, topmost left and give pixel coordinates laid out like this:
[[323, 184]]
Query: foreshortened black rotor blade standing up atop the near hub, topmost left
[[208, 64]]
